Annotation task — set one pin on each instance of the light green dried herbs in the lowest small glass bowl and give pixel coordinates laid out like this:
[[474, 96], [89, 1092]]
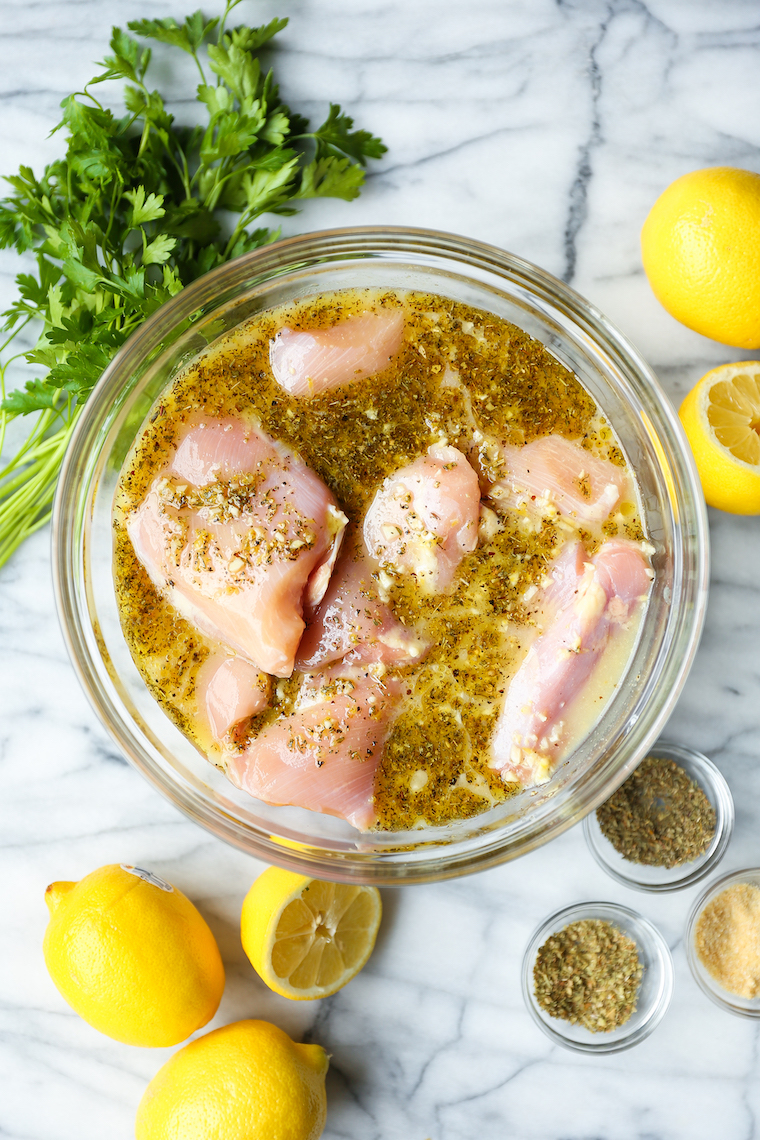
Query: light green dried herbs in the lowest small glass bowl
[[589, 974]]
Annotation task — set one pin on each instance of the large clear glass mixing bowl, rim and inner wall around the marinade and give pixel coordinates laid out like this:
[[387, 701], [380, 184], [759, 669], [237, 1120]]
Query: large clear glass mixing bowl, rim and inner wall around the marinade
[[479, 275]]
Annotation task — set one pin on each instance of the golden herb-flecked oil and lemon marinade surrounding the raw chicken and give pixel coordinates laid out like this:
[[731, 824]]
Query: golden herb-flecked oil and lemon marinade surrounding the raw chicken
[[462, 378]]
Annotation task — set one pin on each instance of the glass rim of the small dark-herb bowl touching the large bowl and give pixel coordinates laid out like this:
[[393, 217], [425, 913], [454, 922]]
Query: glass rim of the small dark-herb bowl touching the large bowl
[[725, 820]]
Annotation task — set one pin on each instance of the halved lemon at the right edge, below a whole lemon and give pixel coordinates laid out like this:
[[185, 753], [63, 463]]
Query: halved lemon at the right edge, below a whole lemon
[[722, 420]]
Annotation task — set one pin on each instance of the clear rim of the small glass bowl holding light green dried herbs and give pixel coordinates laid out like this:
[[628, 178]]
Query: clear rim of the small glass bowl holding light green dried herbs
[[624, 1041]]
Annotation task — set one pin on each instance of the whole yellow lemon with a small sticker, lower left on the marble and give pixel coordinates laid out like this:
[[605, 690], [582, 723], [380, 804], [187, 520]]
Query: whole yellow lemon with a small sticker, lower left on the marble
[[133, 956]]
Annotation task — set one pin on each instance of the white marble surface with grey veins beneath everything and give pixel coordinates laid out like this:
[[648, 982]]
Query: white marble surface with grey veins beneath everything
[[546, 128]]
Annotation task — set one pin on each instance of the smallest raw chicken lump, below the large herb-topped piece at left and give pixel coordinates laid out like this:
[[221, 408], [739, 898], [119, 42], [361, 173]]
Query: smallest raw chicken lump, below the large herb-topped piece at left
[[230, 690]]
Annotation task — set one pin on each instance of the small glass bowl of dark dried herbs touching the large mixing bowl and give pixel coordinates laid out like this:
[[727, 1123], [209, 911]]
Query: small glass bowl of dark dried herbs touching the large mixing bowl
[[668, 826]]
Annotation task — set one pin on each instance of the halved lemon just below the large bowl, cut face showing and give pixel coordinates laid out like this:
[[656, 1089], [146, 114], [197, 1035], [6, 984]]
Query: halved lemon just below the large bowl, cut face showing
[[306, 938]]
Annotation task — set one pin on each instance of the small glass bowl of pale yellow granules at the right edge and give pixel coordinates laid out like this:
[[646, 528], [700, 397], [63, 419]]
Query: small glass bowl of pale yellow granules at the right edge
[[723, 942]]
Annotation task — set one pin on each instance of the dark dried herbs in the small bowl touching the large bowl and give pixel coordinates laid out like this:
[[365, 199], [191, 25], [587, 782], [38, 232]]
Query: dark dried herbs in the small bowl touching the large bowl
[[659, 817]]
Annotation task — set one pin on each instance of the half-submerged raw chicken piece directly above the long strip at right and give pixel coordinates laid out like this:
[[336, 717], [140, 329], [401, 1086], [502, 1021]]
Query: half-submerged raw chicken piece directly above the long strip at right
[[563, 475]]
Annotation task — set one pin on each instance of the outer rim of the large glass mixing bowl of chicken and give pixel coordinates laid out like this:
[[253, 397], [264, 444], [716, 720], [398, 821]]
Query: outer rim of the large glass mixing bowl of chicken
[[332, 246]]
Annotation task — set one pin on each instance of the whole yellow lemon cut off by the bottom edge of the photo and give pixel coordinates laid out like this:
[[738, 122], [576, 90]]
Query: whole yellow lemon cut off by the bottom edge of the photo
[[247, 1081]]
